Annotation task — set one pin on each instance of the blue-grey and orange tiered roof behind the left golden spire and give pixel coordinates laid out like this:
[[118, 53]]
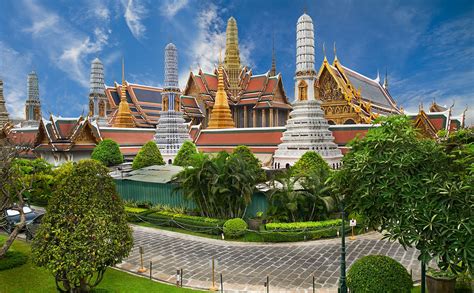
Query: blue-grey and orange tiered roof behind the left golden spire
[[145, 102]]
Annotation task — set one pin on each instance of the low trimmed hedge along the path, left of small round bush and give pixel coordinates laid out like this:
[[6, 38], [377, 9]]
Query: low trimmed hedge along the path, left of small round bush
[[192, 223]]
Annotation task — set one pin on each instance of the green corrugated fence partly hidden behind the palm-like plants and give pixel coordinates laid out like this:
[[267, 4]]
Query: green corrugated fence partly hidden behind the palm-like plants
[[164, 193]]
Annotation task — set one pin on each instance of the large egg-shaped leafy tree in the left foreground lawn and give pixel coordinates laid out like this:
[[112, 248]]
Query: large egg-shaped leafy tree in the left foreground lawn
[[85, 228]]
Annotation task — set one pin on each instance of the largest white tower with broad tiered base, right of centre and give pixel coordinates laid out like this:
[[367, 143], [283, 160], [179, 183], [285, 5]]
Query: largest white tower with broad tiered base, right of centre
[[306, 129]]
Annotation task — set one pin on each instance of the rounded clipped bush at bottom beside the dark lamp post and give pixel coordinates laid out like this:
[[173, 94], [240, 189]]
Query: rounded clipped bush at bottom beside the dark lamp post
[[378, 273]]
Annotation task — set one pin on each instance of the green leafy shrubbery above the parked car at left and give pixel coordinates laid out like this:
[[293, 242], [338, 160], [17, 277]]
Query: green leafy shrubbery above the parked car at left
[[41, 175]]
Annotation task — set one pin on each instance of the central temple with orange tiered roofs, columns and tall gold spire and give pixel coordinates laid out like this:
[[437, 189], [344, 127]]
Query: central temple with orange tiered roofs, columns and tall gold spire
[[254, 100]]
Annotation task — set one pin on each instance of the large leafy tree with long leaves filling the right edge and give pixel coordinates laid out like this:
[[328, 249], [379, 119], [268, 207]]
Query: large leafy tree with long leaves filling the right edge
[[412, 189]]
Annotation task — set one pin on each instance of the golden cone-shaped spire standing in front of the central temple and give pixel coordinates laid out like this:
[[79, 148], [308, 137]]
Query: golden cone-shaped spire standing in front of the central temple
[[221, 116]]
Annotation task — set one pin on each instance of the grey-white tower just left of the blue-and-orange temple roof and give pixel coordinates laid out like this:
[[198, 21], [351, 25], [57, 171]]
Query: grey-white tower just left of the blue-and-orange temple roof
[[97, 97]]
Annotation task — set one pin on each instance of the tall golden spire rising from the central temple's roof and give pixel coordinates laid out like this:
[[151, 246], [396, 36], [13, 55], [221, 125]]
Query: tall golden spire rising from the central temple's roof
[[232, 56]]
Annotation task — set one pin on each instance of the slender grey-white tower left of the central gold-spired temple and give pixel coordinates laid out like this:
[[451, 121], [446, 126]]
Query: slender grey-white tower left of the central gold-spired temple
[[171, 131]]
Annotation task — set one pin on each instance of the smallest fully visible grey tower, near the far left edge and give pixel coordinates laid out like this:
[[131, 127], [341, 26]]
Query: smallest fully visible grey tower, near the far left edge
[[33, 103]]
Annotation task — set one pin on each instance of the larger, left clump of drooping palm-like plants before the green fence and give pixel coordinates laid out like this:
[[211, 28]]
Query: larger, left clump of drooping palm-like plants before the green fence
[[221, 186]]
